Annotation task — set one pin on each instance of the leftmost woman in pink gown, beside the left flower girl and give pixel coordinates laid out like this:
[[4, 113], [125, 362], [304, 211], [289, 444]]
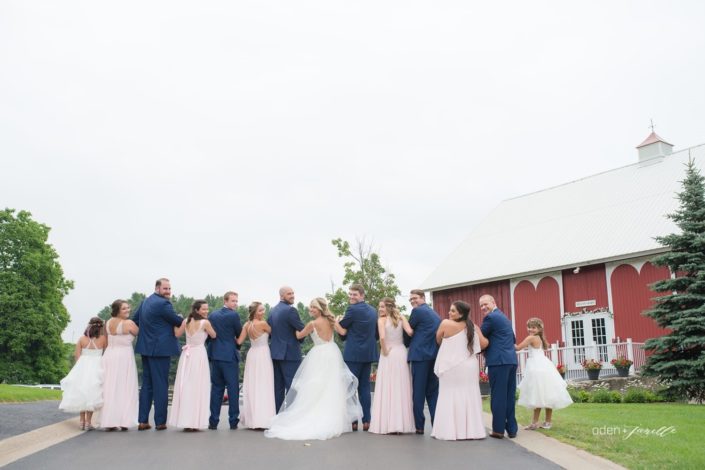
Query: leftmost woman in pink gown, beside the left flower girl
[[120, 393]]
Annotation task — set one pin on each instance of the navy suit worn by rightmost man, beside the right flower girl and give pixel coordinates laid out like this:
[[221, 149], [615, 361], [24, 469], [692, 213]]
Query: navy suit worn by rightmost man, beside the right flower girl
[[501, 360]]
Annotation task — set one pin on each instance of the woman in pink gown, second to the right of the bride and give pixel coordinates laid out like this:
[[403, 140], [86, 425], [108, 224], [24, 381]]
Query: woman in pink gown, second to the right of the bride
[[392, 411]]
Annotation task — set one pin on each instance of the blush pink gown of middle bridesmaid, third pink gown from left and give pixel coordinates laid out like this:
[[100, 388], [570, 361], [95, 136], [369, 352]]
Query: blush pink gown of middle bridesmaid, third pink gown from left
[[258, 385]]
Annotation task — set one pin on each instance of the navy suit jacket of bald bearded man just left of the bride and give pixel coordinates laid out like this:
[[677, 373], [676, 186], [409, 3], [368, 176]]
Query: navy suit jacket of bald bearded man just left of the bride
[[285, 322]]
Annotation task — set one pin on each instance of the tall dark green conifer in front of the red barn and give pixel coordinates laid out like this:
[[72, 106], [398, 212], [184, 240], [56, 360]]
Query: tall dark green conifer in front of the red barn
[[678, 357]]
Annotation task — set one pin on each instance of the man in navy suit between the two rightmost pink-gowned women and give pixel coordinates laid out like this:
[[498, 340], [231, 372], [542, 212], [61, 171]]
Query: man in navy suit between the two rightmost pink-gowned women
[[422, 356]]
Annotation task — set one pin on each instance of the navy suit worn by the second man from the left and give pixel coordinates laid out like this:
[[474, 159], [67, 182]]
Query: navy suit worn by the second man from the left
[[225, 364]]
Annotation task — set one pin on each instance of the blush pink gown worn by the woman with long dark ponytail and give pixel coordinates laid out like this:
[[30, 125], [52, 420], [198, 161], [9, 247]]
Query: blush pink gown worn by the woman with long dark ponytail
[[459, 408]]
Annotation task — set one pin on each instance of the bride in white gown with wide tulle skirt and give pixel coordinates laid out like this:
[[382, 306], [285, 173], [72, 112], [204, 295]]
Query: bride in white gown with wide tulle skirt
[[322, 401]]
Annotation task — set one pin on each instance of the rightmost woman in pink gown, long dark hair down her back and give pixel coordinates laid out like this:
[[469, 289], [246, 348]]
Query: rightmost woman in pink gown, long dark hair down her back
[[459, 408]]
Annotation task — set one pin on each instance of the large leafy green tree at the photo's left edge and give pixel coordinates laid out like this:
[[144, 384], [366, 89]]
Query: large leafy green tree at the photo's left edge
[[32, 315]]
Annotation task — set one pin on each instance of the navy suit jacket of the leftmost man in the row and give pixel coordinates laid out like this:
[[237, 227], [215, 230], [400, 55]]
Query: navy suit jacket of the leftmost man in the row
[[157, 318]]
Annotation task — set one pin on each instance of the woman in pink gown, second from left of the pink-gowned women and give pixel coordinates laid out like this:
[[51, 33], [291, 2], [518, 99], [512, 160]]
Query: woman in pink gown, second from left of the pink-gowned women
[[190, 407]]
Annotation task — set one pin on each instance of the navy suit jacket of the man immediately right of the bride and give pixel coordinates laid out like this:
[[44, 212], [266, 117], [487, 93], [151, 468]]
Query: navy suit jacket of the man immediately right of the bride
[[360, 320]]
